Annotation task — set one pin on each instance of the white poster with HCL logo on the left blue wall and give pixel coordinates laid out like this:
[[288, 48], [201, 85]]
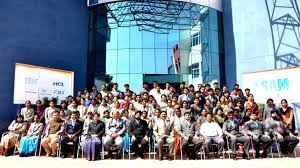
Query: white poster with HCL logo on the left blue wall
[[34, 83]]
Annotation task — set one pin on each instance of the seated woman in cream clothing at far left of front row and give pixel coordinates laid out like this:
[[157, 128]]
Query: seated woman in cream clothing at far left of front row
[[16, 129]]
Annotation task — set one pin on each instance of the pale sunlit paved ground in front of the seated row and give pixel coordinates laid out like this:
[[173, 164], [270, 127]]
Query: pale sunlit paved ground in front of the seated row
[[44, 162]]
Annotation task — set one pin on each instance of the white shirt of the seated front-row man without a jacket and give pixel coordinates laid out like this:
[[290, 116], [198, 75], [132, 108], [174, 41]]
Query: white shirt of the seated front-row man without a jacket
[[210, 129]]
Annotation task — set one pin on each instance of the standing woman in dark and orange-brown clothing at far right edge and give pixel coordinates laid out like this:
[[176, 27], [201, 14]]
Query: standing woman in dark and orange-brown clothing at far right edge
[[287, 114]]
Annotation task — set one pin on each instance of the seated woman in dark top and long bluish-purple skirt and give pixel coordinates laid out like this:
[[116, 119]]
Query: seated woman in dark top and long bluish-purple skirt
[[92, 144]]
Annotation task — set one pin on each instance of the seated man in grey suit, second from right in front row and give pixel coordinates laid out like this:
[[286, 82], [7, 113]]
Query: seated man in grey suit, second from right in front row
[[256, 129]]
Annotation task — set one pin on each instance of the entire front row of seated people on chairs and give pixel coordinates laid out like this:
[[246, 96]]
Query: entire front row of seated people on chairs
[[186, 133]]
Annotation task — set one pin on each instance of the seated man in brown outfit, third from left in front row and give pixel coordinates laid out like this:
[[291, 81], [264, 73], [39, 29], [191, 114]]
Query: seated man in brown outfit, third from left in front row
[[54, 129]]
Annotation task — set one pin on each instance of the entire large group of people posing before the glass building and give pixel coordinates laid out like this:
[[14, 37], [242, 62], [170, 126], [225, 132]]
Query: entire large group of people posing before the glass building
[[188, 119]]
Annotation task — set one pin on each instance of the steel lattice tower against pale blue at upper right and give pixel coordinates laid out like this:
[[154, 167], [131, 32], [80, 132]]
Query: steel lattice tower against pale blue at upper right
[[284, 18]]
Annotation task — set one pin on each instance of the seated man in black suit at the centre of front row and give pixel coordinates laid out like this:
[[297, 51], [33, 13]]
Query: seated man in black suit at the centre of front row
[[138, 131]]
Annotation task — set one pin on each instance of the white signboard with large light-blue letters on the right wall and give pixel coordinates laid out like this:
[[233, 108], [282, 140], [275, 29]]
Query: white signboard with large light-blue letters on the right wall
[[275, 84]]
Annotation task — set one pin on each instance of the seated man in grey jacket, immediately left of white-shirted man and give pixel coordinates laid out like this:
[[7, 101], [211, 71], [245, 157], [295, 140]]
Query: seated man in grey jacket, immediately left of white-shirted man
[[187, 133]]
